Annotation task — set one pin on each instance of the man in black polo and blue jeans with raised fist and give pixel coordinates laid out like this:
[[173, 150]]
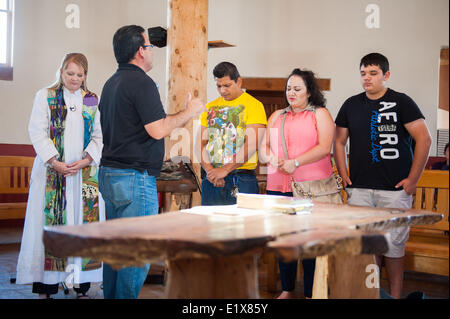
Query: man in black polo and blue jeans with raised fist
[[133, 125]]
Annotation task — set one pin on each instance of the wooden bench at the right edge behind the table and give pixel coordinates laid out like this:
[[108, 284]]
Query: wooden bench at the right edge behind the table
[[428, 246]]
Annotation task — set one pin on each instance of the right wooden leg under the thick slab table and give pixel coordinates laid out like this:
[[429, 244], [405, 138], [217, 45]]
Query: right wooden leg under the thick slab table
[[346, 276]]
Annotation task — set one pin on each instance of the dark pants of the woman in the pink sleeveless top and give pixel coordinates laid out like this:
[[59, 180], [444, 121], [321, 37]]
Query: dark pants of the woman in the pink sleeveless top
[[288, 271]]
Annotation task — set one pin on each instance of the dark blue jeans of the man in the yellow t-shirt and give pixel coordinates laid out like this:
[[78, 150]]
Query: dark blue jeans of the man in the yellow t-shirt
[[246, 182]]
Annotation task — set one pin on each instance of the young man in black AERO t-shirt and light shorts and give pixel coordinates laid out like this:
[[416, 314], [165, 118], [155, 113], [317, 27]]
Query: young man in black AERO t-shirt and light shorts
[[384, 169]]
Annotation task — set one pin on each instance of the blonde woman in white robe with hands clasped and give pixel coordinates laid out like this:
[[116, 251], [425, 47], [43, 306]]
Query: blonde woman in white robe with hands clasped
[[32, 257]]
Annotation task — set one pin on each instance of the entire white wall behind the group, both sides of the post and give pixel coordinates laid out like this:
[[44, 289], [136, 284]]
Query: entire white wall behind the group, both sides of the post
[[272, 37]]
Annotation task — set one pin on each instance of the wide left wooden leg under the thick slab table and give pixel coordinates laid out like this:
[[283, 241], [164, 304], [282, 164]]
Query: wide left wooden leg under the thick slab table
[[228, 277]]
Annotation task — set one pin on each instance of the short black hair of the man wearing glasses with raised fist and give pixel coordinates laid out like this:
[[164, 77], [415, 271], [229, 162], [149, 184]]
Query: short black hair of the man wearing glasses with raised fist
[[127, 41]]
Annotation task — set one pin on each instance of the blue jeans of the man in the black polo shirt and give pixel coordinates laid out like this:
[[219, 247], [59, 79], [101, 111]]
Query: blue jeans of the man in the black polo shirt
[[127, 193]]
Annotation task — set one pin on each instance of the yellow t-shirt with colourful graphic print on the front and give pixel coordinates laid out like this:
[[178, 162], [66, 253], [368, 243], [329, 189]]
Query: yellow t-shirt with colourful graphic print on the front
[[226, 122]]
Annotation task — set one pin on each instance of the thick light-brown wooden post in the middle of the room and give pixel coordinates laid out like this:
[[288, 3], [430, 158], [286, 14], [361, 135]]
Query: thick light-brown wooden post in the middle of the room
[[187, 39]]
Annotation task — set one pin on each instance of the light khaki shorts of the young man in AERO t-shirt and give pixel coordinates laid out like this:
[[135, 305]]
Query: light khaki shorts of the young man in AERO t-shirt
[[396, 237]]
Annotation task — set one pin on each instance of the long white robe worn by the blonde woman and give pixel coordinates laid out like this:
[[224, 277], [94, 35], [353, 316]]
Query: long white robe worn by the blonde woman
[[30, 266]]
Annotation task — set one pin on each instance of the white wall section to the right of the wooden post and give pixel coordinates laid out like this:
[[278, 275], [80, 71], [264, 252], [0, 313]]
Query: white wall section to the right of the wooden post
[[329, 37]]
